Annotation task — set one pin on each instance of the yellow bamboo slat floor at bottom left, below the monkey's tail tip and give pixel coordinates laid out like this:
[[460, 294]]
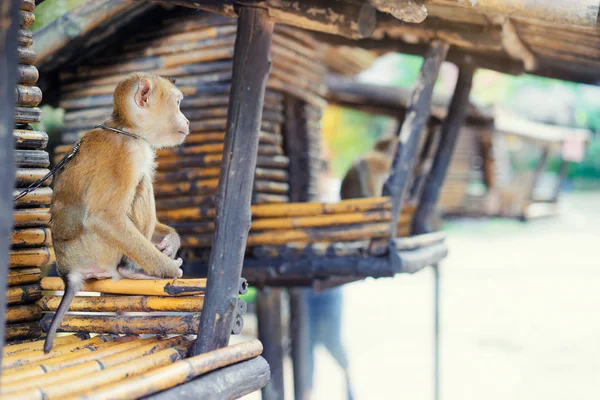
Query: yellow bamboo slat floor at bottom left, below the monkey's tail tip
[[109, 367]]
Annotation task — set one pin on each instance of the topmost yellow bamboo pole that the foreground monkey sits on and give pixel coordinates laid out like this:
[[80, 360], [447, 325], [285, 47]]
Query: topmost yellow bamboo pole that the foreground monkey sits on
[[159, 287]]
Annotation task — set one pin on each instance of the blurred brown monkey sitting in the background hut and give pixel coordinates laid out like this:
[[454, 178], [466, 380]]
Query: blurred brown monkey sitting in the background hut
[[368, 173]]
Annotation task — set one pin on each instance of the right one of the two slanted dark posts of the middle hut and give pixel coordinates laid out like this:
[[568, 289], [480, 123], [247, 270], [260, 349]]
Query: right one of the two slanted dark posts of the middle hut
[[450, 130]]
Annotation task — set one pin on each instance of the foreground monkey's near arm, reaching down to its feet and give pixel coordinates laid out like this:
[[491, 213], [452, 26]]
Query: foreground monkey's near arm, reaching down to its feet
[[120, 232]]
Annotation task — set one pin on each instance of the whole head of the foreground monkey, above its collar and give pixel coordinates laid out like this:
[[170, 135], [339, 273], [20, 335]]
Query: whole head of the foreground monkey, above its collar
[[149, 105]]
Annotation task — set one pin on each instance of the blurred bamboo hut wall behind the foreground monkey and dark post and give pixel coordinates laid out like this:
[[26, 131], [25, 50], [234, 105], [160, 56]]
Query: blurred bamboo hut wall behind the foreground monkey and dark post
[[197, 50]]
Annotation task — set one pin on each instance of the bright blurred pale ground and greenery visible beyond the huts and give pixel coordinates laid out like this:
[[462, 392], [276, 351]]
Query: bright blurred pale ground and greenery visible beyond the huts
[[519, 301]]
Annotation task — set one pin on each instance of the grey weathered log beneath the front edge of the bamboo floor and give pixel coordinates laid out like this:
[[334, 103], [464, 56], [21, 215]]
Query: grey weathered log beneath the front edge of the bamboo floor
[[231, 382]]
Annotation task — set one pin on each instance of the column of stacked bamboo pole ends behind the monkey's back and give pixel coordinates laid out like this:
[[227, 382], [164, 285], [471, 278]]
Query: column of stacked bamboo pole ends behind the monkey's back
[[31, 240]]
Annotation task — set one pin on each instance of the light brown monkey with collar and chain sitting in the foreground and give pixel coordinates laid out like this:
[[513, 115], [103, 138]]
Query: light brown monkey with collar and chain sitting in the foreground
[[103, 212]]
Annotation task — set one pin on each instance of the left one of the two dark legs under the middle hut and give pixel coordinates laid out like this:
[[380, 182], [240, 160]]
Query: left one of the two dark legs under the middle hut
[[268, 312]]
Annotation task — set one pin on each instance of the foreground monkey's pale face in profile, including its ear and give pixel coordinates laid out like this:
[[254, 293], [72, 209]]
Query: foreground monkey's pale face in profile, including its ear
[[157, 104]]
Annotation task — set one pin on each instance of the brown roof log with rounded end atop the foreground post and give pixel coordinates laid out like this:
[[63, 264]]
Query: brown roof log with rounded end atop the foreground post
[[353, 20]]
